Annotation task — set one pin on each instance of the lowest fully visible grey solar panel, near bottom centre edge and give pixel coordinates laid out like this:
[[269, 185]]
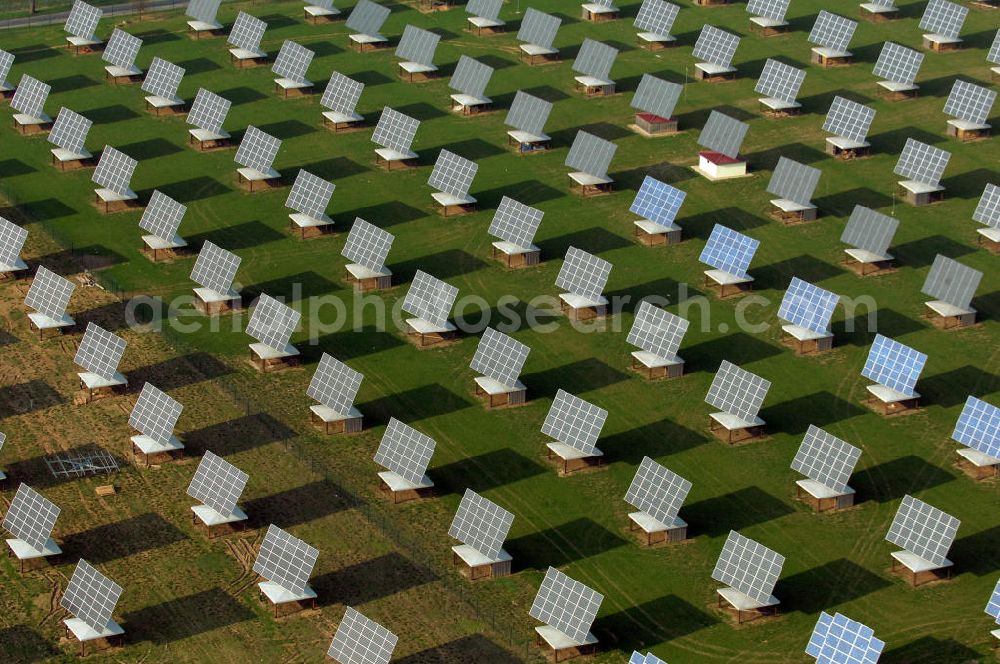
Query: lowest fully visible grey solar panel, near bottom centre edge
[[566, 604]]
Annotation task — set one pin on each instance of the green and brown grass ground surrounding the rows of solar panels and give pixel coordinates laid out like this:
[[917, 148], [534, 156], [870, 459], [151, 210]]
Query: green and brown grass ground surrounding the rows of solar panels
[[190, 600]]
